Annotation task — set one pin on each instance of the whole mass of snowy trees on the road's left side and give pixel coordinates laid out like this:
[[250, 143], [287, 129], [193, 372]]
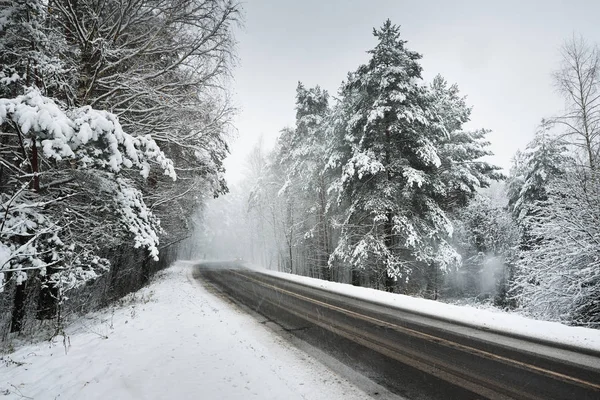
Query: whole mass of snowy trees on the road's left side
[[113, 118]]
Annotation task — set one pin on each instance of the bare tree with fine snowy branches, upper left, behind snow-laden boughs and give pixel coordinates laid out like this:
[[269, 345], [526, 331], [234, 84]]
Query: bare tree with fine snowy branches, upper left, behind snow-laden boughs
[[161, 67]]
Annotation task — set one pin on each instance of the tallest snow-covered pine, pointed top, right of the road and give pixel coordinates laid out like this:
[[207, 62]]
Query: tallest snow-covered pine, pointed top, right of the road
[[381, 138]]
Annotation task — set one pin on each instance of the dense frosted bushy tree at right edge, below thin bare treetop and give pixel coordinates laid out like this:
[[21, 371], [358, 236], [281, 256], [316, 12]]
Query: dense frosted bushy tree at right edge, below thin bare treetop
[[559, 277]]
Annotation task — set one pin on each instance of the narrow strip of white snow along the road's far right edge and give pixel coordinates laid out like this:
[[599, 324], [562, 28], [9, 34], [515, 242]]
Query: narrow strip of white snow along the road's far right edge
[[494, 320]]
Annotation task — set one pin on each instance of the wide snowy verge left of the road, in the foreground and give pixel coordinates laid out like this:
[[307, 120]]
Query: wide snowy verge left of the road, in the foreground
[[174, 340]]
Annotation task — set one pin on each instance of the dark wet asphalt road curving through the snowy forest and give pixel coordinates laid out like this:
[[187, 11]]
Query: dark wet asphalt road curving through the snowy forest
[[411, 355]]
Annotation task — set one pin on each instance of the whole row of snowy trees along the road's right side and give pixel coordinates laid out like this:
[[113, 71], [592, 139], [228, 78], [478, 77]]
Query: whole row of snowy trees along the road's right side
[[382, 186]]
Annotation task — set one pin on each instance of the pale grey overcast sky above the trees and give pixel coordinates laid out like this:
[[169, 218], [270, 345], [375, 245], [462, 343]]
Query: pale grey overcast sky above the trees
[[500, 53]]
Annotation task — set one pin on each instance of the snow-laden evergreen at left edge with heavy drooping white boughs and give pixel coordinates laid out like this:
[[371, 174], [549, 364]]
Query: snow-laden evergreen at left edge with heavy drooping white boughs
[[73, 144]]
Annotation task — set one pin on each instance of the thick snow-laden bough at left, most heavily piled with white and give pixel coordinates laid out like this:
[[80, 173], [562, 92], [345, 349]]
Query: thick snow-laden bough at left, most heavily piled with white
[[92, 138]]
